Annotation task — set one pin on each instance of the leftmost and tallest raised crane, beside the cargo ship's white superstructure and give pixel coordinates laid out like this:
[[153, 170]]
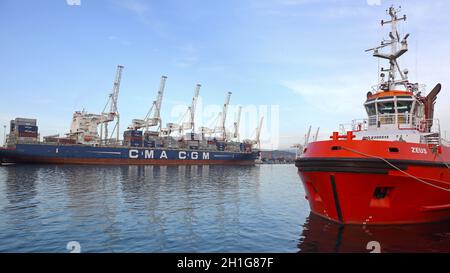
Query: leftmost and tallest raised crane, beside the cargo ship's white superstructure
[[113, 113]]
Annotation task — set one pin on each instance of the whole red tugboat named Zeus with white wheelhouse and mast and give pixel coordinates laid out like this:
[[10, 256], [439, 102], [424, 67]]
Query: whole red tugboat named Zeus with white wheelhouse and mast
[[391, 168]]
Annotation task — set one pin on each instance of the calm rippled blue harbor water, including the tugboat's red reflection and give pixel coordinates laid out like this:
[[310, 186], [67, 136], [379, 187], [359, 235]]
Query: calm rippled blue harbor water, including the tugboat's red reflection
[[181, 209]]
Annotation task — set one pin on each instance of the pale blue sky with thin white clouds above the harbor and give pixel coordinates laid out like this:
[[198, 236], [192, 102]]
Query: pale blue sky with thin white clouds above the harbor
[[304, 56]]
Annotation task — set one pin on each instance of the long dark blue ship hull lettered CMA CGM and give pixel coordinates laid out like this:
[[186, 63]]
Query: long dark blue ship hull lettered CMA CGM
[[81, 154]]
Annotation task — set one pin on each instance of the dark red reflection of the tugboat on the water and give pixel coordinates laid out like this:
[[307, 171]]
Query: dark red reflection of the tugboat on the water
[[320, 235]]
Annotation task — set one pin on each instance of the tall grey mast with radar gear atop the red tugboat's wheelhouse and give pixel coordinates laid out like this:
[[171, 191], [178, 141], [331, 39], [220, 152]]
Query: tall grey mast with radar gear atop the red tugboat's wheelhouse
[[398, 48]]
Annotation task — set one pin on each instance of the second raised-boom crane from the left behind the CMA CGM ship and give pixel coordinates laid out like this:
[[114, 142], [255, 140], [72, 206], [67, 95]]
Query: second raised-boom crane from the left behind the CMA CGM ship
[[153, 117]]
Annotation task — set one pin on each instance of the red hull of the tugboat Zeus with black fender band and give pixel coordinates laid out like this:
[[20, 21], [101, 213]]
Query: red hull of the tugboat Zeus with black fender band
[[347, 187]]
